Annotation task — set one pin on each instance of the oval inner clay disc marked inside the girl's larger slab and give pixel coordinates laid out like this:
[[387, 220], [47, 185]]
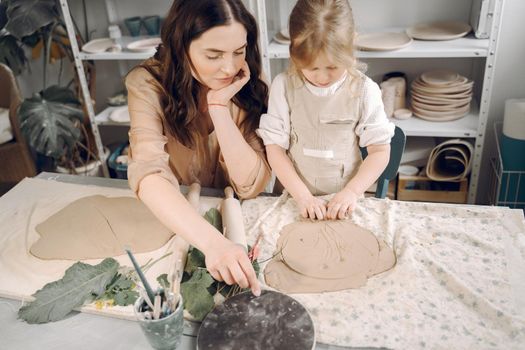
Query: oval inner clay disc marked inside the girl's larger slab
[[328, 249]]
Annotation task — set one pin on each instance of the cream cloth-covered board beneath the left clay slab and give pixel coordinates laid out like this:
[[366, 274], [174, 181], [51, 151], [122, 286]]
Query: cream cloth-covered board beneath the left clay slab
[[31, 202]]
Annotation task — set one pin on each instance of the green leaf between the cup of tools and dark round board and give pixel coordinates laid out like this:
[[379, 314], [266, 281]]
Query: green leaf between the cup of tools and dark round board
[[197, 300]]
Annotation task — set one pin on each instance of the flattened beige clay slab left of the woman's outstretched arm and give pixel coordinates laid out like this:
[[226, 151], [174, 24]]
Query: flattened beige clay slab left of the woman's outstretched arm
[[99, 227]]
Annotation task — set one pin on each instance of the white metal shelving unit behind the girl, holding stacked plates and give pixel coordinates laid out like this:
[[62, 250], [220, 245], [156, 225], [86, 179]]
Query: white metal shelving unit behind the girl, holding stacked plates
[[480, 51]]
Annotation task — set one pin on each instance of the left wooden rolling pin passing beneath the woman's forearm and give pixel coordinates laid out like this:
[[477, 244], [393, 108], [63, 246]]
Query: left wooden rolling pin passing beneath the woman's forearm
[[180, 246]]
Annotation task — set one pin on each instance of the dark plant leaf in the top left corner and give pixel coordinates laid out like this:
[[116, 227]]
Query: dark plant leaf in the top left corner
[[27, 16]]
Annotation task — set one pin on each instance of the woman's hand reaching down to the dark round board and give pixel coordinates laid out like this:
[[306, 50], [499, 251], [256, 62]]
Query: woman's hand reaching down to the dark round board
[[229, 262]]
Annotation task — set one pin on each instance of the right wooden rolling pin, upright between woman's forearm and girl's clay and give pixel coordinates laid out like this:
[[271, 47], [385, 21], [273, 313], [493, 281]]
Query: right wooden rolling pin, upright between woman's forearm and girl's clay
[[232, 219]]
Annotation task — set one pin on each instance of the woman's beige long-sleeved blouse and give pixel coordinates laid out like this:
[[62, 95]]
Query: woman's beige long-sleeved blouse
[[154, 151]]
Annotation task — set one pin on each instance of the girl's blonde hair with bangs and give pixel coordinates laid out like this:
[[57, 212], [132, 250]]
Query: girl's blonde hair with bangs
[[322, 26]]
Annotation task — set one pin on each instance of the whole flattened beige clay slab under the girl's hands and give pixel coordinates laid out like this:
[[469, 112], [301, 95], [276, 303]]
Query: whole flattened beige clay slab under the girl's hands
[[326, 256]]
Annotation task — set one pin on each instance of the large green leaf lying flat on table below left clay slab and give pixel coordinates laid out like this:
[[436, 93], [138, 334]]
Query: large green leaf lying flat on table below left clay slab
[[80, 282]]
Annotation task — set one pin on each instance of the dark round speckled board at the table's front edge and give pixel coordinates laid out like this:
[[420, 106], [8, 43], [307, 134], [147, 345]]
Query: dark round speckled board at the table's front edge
[[270, 321]]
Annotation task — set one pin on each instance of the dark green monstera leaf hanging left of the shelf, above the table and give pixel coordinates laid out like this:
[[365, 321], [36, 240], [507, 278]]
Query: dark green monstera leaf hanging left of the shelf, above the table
[[48, 121]]
